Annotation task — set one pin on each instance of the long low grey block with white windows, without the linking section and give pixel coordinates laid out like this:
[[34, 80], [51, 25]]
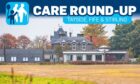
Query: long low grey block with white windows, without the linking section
[[21, 55]]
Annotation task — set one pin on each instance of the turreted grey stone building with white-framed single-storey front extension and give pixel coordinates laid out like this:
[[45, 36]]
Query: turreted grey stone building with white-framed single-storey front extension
[[81, 49]]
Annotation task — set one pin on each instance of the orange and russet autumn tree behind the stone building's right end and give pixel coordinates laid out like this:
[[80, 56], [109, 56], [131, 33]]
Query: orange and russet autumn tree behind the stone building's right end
[[96, 34]]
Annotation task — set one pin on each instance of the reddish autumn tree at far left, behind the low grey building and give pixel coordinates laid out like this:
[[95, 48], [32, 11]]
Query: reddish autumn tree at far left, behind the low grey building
[[9, 41]]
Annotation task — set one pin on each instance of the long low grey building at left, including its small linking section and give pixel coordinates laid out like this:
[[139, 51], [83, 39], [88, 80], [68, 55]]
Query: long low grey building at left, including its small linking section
[[27, 55]]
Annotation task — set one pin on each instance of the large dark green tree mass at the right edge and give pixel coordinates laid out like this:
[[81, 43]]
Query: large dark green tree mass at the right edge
[[127, 37]]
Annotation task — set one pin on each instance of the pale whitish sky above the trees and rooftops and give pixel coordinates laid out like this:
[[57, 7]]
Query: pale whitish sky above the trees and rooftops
[[40, 26]]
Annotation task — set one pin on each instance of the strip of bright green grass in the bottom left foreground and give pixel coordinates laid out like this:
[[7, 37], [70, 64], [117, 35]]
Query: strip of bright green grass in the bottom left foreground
[[7, 79]]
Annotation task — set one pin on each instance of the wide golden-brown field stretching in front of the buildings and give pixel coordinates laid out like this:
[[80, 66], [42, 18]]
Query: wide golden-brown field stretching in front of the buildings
[[101, 74]]
